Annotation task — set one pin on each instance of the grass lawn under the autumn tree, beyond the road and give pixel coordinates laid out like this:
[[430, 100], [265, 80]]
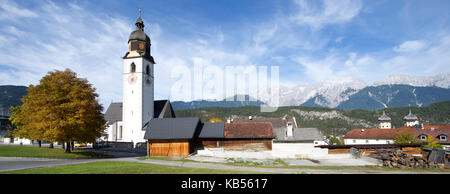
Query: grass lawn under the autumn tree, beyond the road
[[36, 152]]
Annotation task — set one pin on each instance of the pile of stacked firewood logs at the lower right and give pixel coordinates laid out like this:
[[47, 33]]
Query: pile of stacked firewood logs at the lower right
[[398, 159]]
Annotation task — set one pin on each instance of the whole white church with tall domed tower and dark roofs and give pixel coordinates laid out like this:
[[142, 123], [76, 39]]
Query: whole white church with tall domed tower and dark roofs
[[127, 121]]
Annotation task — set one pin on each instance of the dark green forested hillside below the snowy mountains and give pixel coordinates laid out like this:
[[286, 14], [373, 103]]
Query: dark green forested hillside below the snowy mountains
[[329, 121]]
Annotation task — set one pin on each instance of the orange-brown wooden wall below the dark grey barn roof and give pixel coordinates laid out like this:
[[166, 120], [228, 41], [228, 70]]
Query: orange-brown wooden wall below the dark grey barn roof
[[169, 148]]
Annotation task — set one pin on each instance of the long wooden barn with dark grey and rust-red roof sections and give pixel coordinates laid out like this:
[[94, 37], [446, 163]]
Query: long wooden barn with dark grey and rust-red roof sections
[[179, 137]]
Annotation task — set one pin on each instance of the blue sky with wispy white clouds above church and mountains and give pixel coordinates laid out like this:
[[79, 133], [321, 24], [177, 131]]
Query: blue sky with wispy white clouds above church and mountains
[[309, 40]]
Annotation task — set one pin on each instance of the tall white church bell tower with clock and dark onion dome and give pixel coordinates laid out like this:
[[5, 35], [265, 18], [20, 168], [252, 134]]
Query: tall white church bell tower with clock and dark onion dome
[[138, 85]]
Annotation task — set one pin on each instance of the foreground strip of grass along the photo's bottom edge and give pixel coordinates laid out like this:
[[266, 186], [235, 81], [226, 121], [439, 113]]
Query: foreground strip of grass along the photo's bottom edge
[[114, 167]]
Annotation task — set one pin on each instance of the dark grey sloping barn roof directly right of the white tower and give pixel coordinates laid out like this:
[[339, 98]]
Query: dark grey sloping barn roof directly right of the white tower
[[172, 128]]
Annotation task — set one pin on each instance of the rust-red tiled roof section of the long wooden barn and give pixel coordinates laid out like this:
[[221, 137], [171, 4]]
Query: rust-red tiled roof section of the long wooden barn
[[248, 130]]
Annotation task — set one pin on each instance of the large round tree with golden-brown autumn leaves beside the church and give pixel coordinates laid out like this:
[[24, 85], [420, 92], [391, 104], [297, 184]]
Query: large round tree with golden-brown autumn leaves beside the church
[[62, 108]]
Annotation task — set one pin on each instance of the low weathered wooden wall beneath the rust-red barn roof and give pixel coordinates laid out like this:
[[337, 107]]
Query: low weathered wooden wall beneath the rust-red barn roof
[[235, 144]]
